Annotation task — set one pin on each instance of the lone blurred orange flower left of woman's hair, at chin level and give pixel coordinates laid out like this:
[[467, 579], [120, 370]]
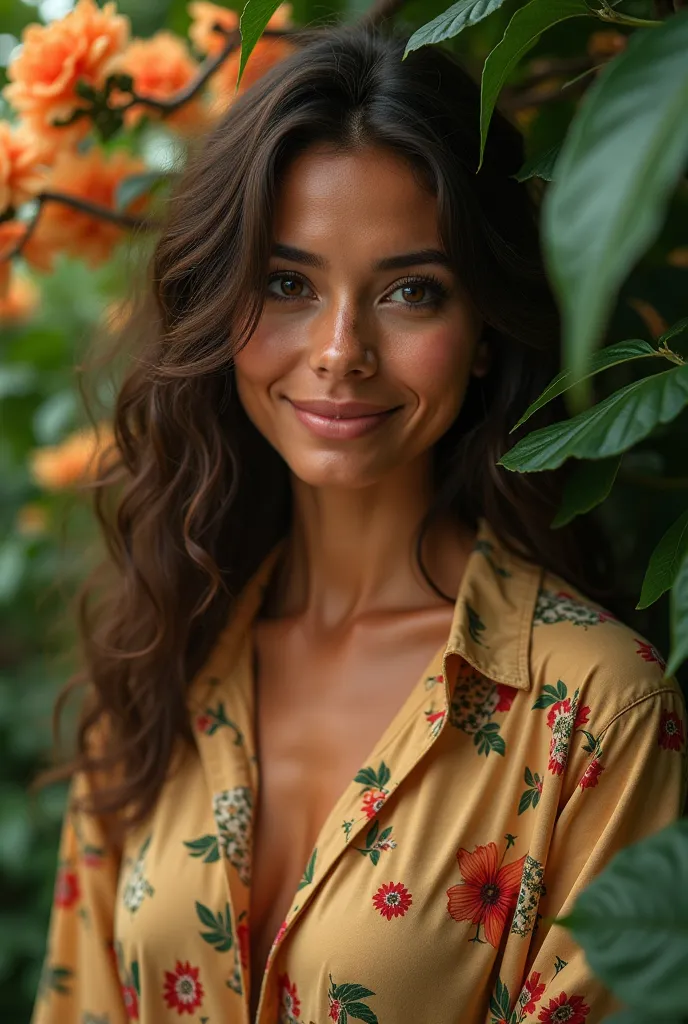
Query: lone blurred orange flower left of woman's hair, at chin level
[[76, 460]]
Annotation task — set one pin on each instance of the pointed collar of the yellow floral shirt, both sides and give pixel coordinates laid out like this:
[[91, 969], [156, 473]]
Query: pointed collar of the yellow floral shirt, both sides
[[493, 615]]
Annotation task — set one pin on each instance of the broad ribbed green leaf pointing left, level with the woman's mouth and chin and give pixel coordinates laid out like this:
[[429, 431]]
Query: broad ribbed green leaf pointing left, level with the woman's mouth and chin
[[609, 429]]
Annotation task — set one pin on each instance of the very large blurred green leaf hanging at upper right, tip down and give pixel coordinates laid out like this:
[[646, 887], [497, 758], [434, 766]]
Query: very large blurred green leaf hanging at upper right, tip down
[[621, 160]]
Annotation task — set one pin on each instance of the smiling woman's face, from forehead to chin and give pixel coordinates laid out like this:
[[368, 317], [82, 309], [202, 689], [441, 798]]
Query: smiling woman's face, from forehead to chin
[[368, 340]]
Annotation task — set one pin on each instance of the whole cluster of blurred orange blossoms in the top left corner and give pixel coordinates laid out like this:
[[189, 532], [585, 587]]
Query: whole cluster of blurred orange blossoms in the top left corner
[[80, 81]]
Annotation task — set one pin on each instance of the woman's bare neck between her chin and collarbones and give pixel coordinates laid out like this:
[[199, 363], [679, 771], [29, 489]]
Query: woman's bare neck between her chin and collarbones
[[352, 553]]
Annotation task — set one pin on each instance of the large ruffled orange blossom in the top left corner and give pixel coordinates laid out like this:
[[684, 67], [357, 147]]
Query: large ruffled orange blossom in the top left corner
[[54, 59]]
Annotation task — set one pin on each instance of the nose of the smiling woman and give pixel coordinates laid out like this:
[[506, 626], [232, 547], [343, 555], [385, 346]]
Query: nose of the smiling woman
[[341, 348]]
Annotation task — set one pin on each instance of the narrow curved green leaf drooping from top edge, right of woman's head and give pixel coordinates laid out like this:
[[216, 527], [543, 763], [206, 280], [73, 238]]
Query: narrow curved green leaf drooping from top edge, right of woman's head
[[523, 32]]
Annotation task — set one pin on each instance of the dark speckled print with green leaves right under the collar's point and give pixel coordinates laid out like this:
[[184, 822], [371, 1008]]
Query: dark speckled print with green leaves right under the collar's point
[[475, 701]]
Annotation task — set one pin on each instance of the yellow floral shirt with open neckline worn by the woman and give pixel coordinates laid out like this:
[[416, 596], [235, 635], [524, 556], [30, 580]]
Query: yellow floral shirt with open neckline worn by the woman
[[538, 743]]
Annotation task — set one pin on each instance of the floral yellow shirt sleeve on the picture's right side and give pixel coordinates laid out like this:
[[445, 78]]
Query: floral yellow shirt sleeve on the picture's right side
[[633, 785]]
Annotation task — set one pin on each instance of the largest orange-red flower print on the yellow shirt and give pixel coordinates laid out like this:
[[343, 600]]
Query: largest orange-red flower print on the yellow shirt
[[489, 892]]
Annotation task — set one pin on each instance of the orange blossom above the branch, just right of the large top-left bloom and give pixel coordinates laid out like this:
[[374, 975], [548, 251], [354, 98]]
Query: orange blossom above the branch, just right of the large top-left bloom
[[160, 67]]
